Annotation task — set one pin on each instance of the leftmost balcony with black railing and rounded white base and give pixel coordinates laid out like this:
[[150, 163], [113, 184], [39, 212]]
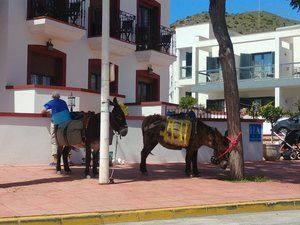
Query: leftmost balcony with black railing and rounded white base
[[57, 19]]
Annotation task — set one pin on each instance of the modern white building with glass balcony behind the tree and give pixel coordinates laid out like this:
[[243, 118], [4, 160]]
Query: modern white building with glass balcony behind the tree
[[268, 67]]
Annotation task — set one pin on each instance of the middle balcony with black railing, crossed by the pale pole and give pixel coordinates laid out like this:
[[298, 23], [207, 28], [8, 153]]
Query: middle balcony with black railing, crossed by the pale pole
[[122, 32]]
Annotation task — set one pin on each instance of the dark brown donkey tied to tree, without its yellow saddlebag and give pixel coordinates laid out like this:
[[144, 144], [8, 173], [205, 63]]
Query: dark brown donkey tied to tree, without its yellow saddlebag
[[202, 134]]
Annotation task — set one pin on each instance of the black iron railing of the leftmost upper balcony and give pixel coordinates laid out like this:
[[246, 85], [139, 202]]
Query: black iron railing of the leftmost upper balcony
[[72, 11]]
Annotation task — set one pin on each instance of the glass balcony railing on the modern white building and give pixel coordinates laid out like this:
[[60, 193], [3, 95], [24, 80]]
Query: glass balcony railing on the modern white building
[[243, 73]]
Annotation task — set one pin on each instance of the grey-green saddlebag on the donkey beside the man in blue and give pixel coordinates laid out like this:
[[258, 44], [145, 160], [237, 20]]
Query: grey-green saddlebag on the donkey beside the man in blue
[[70, 133]]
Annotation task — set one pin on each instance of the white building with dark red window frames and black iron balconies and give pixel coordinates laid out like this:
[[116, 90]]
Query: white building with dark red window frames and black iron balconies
[[51, 45]]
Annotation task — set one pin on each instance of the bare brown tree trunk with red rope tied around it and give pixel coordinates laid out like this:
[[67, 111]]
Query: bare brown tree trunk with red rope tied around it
[[231, 94]]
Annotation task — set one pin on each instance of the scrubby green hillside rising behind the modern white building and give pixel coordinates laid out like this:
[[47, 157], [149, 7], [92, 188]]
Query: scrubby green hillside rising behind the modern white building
[[244, 23]]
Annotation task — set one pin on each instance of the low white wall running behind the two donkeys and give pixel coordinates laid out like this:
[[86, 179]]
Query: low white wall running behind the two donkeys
[[31, 143]]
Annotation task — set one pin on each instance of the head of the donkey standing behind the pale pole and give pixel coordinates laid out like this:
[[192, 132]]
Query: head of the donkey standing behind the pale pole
[[117, 118]]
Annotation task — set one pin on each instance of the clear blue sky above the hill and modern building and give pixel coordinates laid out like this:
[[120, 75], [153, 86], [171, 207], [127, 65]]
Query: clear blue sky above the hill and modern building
[[182, 8]]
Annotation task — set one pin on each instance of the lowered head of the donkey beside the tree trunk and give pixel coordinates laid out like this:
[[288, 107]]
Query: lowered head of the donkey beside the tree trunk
[[220, 144]]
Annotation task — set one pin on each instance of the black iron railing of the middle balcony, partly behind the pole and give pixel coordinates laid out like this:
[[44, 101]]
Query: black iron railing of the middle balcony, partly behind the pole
[[122, 28]]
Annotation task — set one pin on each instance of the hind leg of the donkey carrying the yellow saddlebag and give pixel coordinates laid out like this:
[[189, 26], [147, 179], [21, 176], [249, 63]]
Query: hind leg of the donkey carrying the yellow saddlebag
[[149, 144]]
